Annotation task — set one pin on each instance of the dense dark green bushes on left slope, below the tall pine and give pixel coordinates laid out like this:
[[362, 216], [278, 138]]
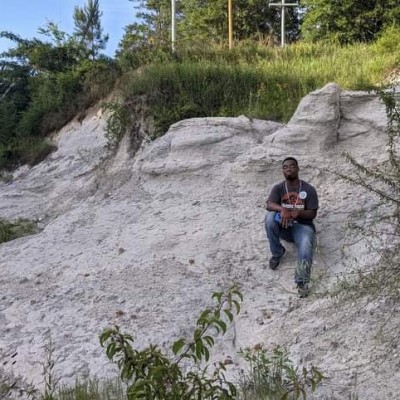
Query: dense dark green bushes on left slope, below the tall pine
[[55, 99]]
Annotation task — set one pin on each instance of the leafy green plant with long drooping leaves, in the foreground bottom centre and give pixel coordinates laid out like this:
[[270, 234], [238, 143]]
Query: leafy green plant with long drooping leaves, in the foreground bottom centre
[[152, 374]]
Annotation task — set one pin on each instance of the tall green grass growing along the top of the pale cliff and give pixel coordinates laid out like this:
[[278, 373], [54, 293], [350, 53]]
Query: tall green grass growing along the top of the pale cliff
[[254, 80]]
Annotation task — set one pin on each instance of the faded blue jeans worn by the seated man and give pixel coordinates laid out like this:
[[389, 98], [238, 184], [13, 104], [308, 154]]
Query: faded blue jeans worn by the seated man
[[301, 235]]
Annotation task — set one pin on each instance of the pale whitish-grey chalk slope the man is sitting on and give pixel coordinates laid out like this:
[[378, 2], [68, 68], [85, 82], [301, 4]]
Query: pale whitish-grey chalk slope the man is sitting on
[[143, 241]]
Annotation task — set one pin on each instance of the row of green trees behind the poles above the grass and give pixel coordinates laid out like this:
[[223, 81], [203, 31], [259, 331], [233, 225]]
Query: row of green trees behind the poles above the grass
[[345, 21]]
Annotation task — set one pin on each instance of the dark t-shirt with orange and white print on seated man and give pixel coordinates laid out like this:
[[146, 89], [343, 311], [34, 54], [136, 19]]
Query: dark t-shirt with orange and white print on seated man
[[304, 197]]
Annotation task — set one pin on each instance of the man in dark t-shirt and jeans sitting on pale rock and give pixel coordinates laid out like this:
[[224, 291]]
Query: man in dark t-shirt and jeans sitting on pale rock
[[292, 206]]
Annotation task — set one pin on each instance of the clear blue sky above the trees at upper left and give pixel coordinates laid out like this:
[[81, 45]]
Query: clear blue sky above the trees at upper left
[[24, 17]]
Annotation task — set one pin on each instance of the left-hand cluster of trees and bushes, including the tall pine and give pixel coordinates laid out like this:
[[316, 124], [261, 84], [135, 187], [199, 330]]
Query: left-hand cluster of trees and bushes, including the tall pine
[[44, 83]]
